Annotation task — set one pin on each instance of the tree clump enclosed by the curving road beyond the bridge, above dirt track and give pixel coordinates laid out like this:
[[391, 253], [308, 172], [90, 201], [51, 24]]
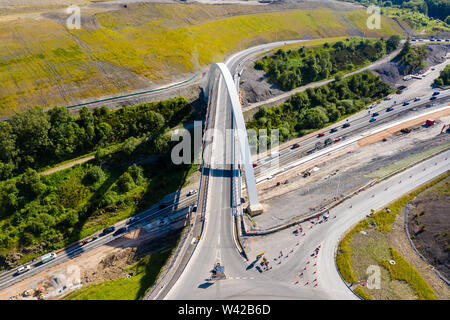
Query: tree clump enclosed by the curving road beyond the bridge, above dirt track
[[293, 68]]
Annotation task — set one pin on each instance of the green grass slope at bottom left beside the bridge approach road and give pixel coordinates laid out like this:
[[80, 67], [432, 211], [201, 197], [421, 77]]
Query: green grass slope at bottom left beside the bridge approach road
[[145, 273]]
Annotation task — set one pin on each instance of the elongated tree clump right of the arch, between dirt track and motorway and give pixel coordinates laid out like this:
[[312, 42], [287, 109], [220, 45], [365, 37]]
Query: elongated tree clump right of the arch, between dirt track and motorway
[[316, 107]]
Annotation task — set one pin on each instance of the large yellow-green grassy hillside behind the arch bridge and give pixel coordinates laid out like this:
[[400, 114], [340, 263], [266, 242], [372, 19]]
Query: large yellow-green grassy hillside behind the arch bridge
[[43, 63]]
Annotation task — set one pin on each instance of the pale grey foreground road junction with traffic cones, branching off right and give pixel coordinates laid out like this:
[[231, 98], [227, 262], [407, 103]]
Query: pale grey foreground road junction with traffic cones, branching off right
[[244, 282]]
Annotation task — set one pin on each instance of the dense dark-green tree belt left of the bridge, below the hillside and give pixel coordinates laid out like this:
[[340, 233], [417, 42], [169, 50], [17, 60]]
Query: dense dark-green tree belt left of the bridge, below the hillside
[[35, 139]]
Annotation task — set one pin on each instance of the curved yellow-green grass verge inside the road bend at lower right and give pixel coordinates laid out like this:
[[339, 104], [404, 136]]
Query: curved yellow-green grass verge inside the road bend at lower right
[[357, 251]]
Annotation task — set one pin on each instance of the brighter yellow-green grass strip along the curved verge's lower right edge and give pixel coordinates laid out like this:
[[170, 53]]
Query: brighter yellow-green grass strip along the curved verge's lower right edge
[[403, 270]]
